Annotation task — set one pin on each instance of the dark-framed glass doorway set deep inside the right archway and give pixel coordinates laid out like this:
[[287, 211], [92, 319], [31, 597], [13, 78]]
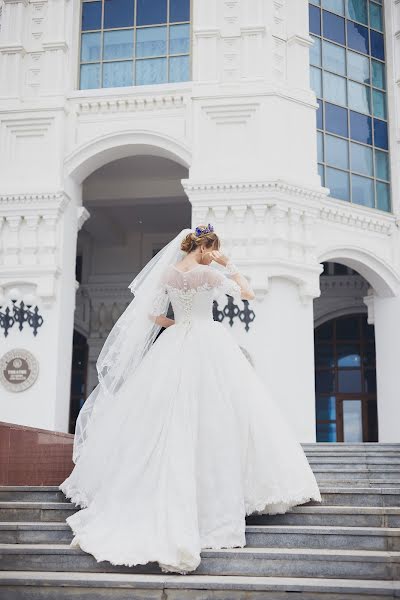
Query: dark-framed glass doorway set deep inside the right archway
[[345, 380]]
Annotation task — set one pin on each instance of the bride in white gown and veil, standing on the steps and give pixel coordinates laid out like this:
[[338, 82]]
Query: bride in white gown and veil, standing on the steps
[[180, 439]]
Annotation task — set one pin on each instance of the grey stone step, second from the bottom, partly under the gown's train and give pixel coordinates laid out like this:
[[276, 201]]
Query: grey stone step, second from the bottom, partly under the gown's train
[[271, 562]]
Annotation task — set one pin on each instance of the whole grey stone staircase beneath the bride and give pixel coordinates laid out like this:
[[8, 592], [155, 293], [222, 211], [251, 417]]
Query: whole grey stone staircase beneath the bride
[[346, 548]]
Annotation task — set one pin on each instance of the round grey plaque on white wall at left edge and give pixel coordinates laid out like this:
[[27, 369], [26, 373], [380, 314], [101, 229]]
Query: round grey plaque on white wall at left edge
[[18, 370]]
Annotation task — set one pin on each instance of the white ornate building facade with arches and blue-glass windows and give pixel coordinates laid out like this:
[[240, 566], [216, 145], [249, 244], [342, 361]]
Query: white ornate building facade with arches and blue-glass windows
[[124, 121]]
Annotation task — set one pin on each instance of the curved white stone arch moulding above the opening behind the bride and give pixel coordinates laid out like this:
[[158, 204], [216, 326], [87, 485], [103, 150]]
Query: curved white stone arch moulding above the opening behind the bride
[[106, 148]]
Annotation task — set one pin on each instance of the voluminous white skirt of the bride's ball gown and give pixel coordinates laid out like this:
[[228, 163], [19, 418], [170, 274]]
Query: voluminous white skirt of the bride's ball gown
[[190, 445]]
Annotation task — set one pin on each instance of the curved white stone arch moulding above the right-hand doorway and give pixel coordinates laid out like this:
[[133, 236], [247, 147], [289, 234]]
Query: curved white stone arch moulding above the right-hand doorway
[[376, 271]]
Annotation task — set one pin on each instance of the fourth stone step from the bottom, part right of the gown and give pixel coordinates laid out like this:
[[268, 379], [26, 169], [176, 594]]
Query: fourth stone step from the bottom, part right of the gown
[[341, 516]]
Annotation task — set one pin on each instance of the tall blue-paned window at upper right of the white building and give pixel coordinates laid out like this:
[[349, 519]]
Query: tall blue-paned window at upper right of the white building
[[348, 75]]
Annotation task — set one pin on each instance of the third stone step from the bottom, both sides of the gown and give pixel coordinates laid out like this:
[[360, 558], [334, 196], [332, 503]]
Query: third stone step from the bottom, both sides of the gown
[[257, 536]]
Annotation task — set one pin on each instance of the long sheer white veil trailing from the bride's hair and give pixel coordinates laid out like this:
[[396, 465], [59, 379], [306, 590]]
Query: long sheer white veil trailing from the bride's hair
[[130, 338]]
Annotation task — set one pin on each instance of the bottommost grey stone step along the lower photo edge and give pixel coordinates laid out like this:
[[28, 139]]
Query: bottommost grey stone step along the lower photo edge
[[45, 585]]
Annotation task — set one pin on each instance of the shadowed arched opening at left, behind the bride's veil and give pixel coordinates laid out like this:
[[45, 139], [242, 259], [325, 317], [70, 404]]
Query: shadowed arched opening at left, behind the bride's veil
[[137, 205]]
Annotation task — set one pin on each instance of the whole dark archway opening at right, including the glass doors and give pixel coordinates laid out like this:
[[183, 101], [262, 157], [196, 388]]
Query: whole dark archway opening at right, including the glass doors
[[345, 358]]
